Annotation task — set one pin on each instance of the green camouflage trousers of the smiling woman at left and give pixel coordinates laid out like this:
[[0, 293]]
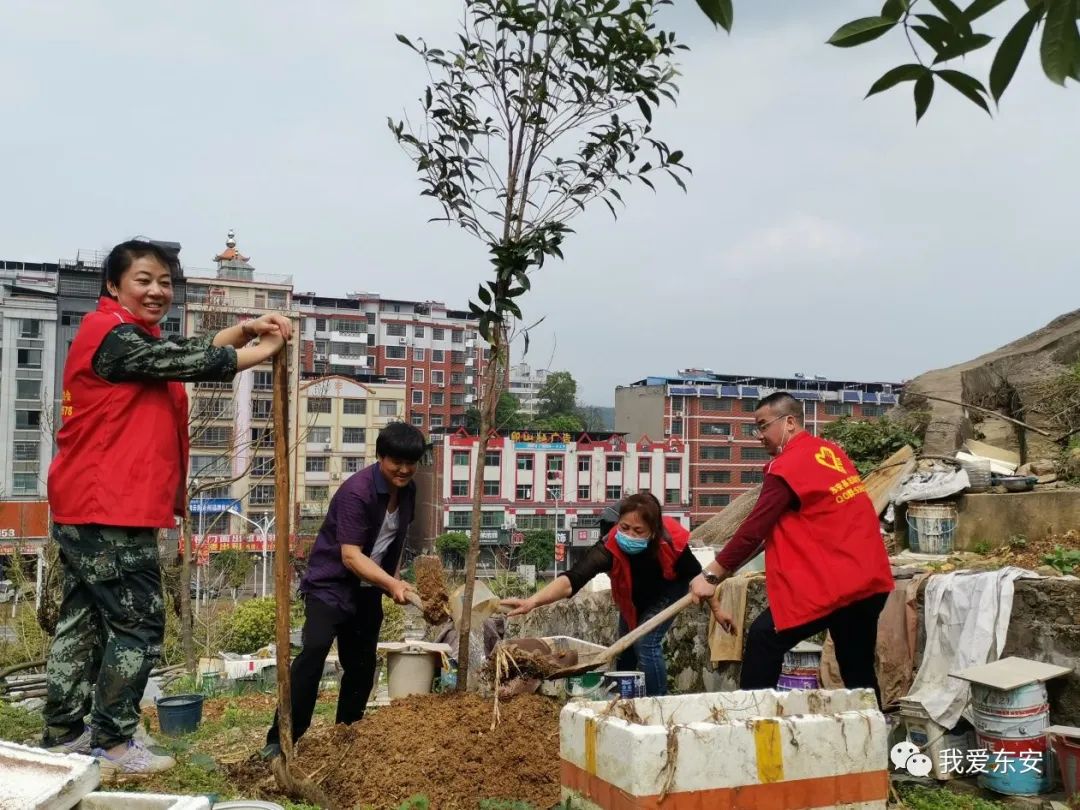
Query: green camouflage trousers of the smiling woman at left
[[110, 634]]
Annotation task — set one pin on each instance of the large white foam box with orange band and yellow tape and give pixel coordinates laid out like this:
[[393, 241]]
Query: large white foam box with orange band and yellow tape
[[762, 750]]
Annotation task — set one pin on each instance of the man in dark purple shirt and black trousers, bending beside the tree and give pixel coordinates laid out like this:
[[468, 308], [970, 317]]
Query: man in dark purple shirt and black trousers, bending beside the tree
[[354, 562]]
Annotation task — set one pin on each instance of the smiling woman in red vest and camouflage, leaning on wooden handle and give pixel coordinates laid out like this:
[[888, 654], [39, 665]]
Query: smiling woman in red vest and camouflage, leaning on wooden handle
[[117, 479]]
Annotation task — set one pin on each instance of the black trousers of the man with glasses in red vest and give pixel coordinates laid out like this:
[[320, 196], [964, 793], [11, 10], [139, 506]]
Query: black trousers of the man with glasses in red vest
[[855, 636]]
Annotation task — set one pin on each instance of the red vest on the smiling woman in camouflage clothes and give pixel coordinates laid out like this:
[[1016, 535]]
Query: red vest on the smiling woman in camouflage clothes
[[123, 450]]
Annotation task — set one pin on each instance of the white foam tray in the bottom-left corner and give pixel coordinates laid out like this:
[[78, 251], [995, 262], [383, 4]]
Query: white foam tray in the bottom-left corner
[[39, 780]]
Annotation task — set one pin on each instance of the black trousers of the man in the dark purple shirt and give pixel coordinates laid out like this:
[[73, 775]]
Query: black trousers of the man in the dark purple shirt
[[358, 637]]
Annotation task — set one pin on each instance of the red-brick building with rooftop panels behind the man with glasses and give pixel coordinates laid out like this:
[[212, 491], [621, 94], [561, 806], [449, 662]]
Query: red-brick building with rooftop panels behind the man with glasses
[[713, 416]]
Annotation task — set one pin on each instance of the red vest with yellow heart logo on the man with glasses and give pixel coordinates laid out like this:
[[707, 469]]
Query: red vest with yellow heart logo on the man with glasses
[[829, 553]]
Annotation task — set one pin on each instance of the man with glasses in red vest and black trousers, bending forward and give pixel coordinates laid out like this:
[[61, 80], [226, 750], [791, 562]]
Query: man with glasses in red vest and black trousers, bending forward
[[827, 568]]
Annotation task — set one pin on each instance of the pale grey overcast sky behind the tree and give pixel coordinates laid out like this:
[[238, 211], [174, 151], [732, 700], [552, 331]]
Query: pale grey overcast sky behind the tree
[[821, 234]]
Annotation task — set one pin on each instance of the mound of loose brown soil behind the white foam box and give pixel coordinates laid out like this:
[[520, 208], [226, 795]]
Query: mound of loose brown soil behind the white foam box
[[437, 746]]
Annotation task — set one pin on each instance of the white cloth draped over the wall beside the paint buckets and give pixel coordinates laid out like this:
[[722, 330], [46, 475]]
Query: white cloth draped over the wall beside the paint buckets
[[967, 619]]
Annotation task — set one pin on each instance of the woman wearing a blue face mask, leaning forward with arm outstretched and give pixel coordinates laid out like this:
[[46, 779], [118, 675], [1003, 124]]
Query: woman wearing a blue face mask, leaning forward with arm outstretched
[[651, 564]]
